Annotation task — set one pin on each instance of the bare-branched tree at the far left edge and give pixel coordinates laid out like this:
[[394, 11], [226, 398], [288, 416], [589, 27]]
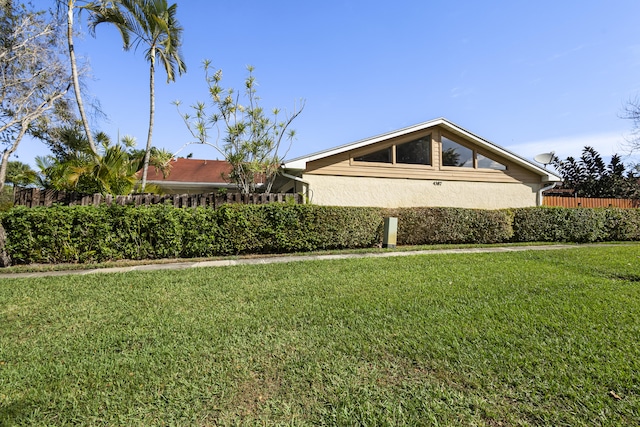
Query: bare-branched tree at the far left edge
[[33, 78]]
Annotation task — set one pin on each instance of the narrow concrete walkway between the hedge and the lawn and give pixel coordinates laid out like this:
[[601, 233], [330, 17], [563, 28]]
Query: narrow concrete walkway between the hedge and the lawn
[[287, 258]]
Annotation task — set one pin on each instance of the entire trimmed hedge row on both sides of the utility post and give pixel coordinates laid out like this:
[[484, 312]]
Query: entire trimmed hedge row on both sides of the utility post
[[96, 234]]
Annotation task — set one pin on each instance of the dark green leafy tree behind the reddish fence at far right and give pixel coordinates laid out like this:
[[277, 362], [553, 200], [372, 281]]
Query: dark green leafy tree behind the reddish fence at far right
[[589, 176]]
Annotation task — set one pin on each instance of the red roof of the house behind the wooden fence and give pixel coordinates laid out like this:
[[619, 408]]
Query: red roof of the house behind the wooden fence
[[193, 170]]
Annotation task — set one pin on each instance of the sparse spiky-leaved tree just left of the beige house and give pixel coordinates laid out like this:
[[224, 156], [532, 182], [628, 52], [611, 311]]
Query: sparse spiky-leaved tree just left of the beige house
[[253, 141]]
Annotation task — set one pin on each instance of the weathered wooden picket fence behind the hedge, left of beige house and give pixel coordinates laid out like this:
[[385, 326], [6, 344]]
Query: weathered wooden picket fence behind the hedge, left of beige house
[[32, 197]]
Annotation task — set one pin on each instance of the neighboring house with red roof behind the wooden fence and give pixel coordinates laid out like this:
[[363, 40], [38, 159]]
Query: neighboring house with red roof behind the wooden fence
[[192, 176]]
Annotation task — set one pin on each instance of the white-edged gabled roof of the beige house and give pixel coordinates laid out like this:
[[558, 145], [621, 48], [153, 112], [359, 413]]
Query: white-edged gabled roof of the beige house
[[300, 163]]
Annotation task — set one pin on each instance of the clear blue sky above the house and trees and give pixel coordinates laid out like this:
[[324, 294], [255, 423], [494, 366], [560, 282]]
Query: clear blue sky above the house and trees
[[529, 76]]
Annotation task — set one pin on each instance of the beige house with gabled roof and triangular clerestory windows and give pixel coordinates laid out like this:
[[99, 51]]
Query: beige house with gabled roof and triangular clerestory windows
[[436, 163]]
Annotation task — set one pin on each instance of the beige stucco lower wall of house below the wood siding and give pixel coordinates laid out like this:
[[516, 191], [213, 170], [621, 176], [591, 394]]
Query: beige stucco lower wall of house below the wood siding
[[390, 192]]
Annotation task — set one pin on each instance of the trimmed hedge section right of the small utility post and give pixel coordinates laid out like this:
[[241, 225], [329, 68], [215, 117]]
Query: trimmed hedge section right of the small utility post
[[424, 226]]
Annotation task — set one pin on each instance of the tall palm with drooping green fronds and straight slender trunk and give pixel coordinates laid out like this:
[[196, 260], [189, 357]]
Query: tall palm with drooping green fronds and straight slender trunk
[[154, 24]]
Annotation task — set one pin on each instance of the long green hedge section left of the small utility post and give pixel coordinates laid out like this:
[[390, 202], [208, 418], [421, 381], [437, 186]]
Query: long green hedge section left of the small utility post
[[95, 234]]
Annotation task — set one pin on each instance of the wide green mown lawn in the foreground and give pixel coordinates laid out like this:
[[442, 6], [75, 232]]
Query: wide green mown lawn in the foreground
[[503, 339]]
